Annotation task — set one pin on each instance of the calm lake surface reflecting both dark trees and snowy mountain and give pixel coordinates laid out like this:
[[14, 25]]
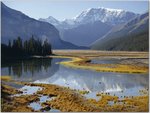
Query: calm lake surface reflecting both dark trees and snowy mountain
[[50, 72]]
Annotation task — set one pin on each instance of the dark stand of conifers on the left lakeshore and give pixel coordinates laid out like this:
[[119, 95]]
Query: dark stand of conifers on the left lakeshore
[[18, 48]]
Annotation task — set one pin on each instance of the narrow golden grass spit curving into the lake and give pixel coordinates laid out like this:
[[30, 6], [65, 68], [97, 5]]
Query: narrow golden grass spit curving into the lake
[[84, 63]]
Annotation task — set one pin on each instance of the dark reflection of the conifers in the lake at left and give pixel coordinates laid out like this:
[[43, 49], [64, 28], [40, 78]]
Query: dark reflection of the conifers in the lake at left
[[28, 66]]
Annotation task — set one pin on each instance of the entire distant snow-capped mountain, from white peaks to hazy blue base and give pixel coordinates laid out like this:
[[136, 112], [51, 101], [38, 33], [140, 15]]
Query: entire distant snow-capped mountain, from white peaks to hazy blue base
[[90, 24]]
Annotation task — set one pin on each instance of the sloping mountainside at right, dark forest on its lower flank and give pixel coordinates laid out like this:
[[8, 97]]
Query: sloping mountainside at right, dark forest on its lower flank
[[133, 36]]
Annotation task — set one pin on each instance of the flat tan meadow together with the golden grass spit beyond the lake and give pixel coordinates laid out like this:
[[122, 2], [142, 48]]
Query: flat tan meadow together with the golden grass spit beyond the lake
[[81, 60]]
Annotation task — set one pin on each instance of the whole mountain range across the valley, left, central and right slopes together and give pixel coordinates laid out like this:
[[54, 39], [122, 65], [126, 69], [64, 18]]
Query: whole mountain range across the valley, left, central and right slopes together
[[95, 28]]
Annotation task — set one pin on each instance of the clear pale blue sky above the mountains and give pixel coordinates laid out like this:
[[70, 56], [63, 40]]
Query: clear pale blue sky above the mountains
[[66, 9]]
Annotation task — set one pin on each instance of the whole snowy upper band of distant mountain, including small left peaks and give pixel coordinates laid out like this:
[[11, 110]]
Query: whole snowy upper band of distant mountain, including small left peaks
[[91, 15]]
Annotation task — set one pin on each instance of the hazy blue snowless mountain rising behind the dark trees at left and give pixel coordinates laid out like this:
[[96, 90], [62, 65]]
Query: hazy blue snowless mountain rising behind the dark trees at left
[[15, 23]]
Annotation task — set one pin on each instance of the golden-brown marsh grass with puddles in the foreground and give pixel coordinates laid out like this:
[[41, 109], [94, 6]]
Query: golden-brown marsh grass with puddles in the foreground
[[67, 100]]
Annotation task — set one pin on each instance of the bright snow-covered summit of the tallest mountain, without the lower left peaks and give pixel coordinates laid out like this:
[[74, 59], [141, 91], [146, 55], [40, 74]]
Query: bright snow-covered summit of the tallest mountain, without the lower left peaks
[[106, 15]]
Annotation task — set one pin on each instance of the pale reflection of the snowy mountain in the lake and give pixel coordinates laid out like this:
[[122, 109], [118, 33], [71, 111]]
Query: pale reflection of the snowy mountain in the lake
[[96, 81]]
